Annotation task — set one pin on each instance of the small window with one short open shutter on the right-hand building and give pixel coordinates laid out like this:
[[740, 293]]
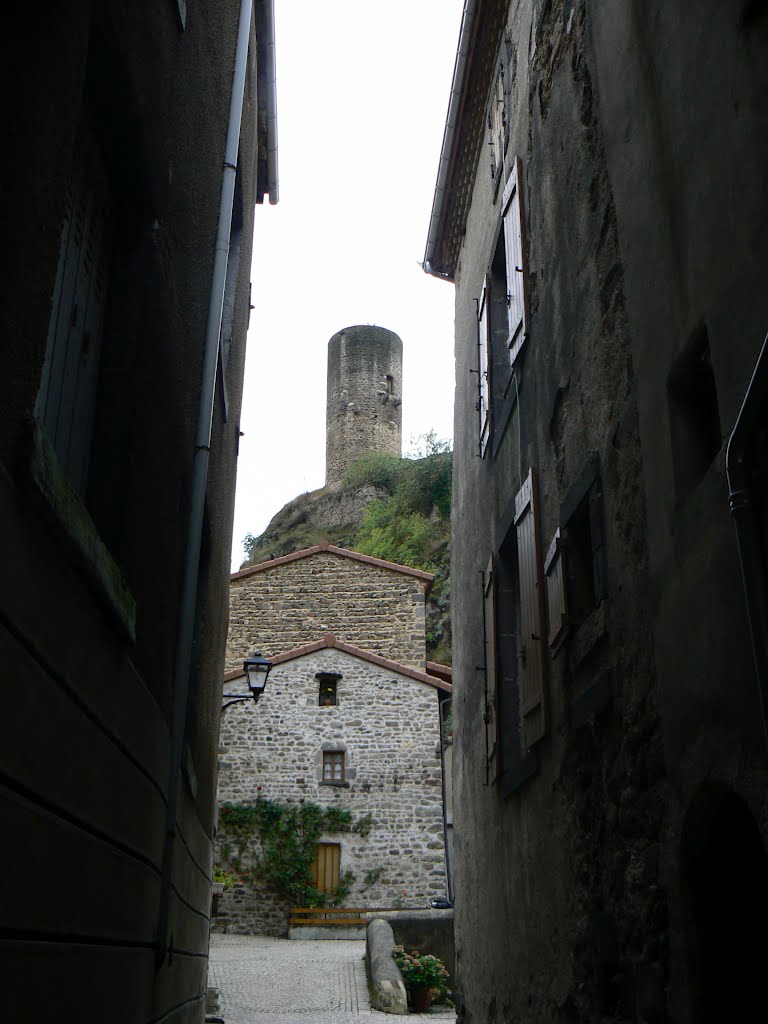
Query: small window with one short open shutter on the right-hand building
[[575, 567]]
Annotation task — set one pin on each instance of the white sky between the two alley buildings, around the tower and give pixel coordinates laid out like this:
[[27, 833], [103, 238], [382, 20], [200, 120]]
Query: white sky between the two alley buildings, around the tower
[[363, 92]]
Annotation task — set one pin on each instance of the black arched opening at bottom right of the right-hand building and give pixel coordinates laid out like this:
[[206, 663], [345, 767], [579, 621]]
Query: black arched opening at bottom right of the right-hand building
[[724, 877]]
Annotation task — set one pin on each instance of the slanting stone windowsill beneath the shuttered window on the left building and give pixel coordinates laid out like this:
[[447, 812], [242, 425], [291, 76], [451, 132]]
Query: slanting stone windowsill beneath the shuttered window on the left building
[[71, 517]]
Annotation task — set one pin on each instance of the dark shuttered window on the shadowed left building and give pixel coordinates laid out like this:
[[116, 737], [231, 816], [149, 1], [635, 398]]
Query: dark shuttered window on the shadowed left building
[[67, 400]]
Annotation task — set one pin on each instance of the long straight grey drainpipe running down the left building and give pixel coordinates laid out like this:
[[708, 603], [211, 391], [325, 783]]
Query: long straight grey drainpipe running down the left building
[[200, 473]]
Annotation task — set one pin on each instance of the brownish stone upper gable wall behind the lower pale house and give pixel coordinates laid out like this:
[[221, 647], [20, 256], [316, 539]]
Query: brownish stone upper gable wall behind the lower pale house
[[297, 603]]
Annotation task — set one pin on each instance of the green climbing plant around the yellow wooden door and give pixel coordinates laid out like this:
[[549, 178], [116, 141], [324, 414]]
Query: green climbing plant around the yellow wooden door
[[288, 836]]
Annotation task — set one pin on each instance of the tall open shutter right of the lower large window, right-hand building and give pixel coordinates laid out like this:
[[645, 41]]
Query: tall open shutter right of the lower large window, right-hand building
[[529, 562]]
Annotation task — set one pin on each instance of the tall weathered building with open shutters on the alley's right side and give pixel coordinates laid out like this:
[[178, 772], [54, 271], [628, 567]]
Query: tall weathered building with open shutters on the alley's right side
[[601, 209]]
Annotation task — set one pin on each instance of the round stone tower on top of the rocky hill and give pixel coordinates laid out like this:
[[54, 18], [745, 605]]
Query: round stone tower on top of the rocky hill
[[364, 415]]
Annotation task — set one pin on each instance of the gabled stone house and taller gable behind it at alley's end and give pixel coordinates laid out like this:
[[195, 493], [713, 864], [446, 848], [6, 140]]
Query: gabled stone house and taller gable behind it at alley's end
[[350, 718]]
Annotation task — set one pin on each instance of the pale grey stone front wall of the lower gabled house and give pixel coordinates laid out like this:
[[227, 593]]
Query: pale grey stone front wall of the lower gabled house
[[388, 724]]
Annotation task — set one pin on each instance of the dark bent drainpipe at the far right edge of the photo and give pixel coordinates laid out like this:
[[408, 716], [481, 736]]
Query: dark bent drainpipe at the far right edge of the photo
[[741, 500]]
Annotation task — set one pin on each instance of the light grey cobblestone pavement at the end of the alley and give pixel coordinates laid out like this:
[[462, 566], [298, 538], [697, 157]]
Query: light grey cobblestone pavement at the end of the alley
[[291, 982]]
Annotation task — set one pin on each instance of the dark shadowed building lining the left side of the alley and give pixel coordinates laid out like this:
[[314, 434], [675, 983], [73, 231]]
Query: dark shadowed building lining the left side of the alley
[[125, 121]]
